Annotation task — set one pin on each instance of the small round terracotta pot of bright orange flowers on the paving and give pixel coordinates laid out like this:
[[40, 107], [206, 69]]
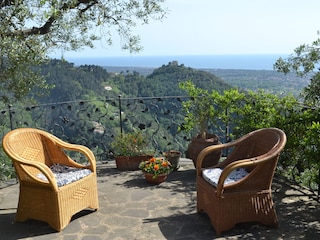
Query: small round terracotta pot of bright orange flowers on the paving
[[155, 169]]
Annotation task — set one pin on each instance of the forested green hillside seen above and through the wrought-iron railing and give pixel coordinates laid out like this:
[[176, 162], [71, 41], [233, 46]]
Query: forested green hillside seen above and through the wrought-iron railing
[[90, 102]]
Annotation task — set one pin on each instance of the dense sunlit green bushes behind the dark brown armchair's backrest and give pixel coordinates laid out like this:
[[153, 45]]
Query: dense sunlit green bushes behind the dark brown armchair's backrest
[[299, 159]]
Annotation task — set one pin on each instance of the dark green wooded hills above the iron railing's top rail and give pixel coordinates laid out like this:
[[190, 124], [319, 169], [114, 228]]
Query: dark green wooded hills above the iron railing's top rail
[[89, 81]]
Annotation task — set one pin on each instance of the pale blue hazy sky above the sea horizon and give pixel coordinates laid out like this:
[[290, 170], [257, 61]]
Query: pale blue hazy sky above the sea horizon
[[215, 27]]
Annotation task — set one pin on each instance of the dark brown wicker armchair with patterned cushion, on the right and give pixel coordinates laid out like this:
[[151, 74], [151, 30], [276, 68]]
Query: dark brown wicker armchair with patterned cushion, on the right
[[229, 199]]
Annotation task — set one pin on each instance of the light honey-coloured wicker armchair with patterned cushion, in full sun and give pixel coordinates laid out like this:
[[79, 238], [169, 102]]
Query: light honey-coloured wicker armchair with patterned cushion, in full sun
[[41, 197]]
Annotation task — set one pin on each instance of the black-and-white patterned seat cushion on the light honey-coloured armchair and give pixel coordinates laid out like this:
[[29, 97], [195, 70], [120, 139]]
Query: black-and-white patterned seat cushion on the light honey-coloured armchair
[[65, 174]]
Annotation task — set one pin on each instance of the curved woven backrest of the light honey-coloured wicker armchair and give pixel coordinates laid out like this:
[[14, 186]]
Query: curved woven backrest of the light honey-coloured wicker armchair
[[26, 145]]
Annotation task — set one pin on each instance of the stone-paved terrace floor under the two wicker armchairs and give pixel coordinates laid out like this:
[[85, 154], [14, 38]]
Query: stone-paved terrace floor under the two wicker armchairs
[[130, 208]]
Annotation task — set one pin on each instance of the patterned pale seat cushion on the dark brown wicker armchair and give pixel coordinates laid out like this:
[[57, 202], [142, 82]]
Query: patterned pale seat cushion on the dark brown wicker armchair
[[212, 175]]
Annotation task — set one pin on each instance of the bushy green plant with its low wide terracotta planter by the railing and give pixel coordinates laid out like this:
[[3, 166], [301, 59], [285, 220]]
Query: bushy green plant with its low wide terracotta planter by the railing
[[130, 149]]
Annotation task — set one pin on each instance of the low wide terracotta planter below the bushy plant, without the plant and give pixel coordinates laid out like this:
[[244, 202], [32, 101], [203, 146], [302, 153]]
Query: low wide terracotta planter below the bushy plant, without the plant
[[130, 163]]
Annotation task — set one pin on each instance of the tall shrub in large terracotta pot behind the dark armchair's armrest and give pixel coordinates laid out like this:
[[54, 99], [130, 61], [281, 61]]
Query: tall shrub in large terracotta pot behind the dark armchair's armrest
[[199, 111]]
